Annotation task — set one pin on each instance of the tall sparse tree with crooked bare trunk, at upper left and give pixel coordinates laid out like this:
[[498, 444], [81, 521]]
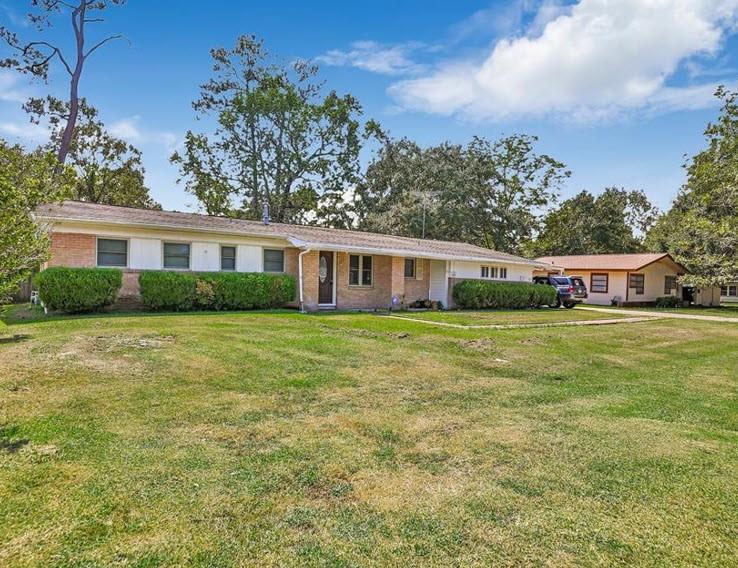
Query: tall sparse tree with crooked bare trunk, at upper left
[[34, 57]]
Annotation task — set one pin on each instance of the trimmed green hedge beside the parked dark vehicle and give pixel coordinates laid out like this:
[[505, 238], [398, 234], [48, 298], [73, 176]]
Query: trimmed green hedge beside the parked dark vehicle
[[476, 294]]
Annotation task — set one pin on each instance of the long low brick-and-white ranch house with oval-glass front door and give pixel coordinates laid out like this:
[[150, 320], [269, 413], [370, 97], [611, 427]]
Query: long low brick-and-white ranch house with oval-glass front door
[[334, 268]]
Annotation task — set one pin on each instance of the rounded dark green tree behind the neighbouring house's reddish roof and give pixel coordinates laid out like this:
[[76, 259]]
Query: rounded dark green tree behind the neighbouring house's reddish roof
[[613, 222]]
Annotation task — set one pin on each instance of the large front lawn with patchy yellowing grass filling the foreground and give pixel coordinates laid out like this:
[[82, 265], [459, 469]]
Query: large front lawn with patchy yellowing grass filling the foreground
[[280, 439]]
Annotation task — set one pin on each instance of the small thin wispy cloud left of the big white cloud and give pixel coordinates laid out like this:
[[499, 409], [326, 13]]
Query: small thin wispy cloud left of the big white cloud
[[375, 57]]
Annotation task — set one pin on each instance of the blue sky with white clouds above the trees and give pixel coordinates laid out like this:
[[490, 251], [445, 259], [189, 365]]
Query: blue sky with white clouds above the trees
[[619, 91]]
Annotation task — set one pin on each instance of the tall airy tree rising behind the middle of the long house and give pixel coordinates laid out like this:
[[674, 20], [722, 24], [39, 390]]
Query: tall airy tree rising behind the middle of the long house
[[278, 140]]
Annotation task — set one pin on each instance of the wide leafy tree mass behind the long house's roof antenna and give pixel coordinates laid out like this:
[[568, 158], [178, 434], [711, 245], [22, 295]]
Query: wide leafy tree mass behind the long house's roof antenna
[[491, 193]]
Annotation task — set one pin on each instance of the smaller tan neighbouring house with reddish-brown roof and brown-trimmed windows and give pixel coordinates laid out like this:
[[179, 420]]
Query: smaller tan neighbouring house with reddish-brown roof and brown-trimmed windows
[[631, 279]]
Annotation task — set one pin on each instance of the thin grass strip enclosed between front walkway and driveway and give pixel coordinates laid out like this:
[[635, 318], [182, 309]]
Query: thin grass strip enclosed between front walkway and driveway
[[509, 317]]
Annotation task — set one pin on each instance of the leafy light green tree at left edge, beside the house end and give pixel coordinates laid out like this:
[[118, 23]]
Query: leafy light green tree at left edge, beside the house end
[[26, 180]]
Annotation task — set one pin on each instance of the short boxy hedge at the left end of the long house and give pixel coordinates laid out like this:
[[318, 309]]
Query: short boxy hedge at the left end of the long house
[[78, 289]]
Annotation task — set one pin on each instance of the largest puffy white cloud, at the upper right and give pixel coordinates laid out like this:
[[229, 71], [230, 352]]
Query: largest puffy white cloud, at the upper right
[[590, 61]]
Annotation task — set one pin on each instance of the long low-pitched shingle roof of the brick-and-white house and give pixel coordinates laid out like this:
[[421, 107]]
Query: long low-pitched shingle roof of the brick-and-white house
[[299, 235]]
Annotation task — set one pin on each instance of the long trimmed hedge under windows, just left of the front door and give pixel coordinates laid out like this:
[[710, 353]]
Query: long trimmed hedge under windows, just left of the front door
[[183, 291]]
